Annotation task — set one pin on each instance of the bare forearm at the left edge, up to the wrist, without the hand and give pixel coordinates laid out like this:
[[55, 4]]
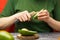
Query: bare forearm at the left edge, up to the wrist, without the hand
[[6, 21]]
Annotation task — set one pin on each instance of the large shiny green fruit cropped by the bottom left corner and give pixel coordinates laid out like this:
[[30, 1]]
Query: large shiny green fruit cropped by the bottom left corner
[[5, 36]]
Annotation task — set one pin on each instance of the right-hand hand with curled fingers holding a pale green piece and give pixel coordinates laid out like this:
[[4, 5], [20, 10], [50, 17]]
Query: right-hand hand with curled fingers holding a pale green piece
[[43, 15]]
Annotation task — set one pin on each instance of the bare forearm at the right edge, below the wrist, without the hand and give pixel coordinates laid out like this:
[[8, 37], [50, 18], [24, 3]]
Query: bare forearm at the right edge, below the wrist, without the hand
[[54, 24]]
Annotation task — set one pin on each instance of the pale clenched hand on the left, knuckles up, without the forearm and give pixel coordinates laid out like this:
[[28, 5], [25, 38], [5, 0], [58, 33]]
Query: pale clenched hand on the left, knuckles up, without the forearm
[[23, 16]]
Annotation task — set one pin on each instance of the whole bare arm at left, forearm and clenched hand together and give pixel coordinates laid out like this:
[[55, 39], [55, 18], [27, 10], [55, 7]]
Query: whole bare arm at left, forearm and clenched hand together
[[21, 16]]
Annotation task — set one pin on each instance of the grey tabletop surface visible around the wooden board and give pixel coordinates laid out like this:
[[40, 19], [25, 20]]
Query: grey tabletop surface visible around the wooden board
[[43, 36]]
